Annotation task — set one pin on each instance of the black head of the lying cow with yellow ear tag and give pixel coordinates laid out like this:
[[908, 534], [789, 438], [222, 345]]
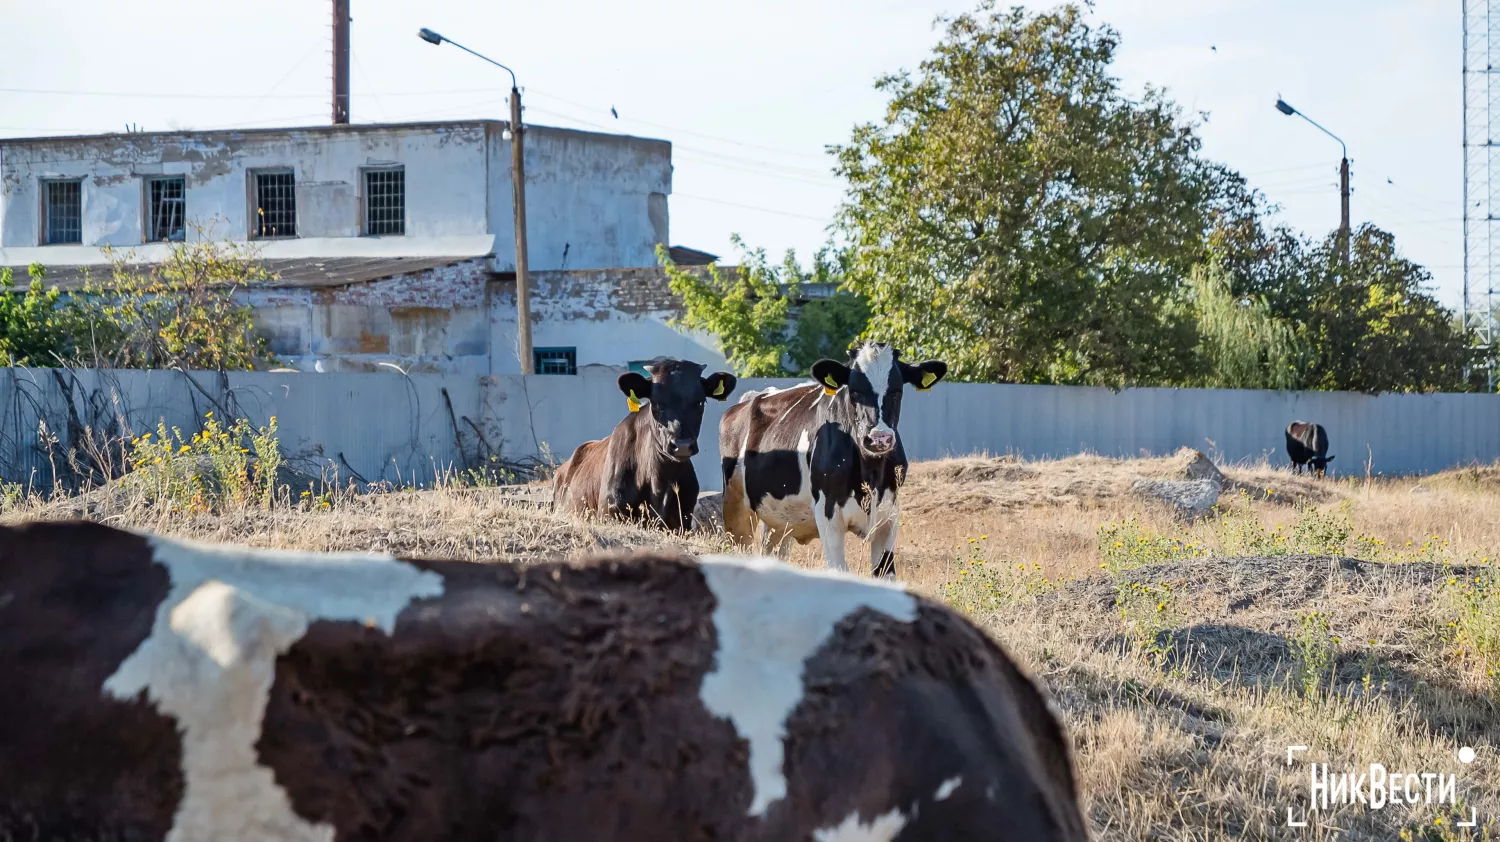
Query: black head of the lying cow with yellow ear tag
[[676, 395]]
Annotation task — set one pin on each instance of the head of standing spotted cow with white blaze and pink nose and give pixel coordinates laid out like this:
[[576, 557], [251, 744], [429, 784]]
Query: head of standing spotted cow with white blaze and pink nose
[[872, 386]]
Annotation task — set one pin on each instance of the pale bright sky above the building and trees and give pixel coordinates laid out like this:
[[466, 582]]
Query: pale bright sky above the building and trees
[[752, 94]]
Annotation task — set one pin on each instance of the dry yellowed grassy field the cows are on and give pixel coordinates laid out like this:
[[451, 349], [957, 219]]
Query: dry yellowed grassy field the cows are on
[[1358, 618]]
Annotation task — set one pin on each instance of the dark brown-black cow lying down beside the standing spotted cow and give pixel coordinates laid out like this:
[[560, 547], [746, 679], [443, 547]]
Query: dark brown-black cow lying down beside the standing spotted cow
[[644, 471]]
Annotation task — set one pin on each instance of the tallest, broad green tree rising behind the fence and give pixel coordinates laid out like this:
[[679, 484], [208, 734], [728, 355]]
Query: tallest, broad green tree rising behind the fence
[[1022, 218]]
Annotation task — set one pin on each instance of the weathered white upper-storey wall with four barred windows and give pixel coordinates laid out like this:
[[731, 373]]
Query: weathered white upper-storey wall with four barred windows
[[593, 200]]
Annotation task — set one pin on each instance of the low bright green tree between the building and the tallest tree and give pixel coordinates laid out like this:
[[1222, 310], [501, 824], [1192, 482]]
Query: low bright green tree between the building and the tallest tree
[[760, 316]]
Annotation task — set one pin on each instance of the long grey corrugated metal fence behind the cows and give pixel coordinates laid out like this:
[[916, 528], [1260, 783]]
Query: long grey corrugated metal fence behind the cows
[[413, 429]]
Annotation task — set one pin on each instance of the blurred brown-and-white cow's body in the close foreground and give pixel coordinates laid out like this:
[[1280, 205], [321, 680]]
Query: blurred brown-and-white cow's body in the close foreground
[[158, 688]]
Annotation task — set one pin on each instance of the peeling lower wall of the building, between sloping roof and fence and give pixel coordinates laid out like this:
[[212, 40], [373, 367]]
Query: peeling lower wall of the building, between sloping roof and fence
[[461, 319]]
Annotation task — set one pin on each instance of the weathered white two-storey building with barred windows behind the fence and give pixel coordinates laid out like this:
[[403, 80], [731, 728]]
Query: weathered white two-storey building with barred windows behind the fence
[[391, 242]]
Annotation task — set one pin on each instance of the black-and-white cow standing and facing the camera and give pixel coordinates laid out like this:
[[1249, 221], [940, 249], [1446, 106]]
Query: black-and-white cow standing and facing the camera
[[824, 459]]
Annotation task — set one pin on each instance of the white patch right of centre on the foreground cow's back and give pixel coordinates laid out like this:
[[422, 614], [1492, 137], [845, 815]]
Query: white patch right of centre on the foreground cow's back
[[770, 619]]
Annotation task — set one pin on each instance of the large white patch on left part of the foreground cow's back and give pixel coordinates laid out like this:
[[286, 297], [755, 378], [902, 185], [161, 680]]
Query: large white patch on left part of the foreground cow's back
[[211, 664]]
